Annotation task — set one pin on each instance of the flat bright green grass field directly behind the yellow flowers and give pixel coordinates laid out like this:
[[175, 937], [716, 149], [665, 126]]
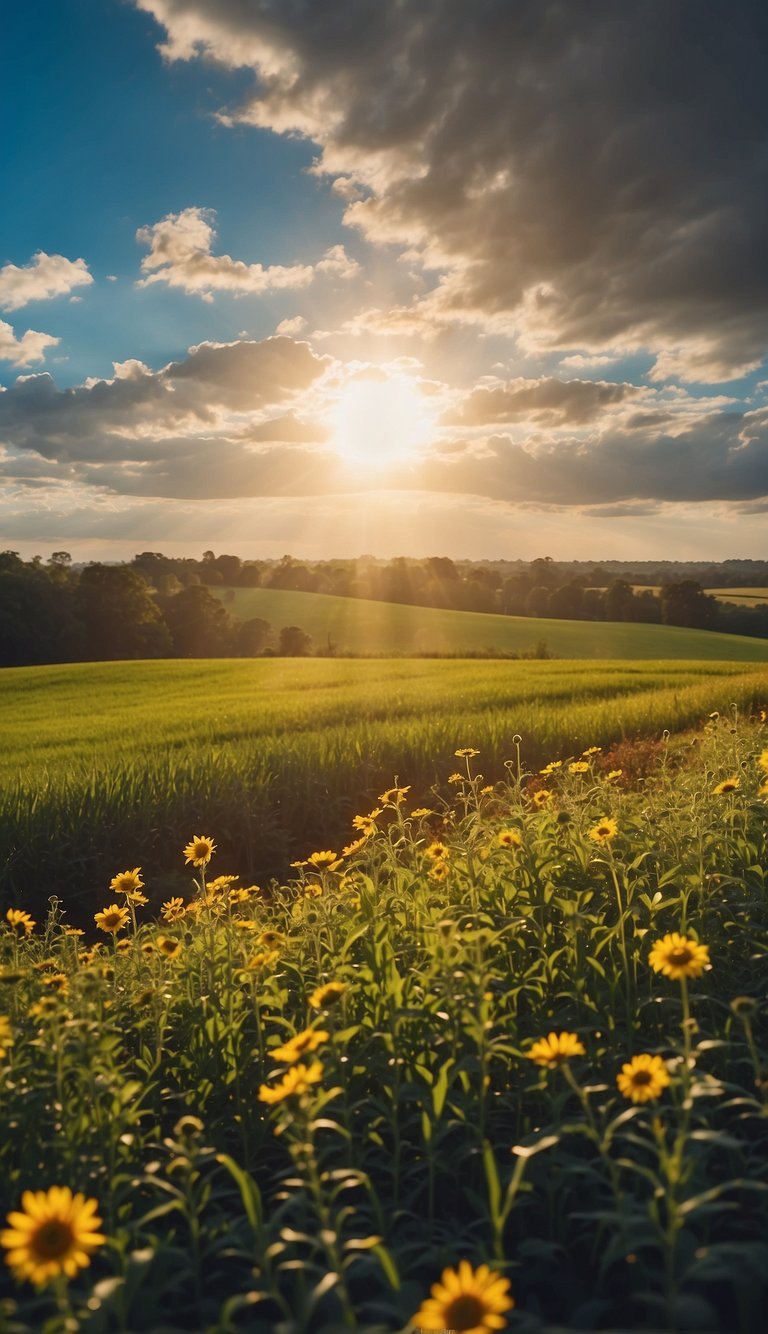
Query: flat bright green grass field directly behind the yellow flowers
[[275, 754]]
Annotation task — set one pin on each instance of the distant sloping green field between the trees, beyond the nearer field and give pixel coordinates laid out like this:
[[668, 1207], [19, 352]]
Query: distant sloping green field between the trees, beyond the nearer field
[[359, 626]]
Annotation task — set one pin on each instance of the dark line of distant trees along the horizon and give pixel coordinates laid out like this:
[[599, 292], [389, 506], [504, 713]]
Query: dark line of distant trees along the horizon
[[158, 606]]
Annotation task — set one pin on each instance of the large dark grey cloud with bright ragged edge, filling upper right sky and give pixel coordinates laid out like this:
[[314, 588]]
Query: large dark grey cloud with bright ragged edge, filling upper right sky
[[583, 178]]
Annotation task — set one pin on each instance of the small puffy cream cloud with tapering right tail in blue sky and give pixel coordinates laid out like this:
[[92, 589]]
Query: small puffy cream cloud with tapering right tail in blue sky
[[181, 255]]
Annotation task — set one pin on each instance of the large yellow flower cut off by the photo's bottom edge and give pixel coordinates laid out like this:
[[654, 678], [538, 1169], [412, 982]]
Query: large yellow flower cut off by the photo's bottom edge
[[466, 1300]]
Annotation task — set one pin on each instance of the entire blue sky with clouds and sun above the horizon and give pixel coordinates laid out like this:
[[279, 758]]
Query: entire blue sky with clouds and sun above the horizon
[[399, 277]]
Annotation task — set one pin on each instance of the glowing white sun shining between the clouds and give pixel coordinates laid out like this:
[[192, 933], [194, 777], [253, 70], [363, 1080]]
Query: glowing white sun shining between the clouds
[[381, 420]]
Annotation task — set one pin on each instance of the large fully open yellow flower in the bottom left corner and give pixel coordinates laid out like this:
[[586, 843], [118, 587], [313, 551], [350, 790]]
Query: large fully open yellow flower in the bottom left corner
[[54, 1235]]
